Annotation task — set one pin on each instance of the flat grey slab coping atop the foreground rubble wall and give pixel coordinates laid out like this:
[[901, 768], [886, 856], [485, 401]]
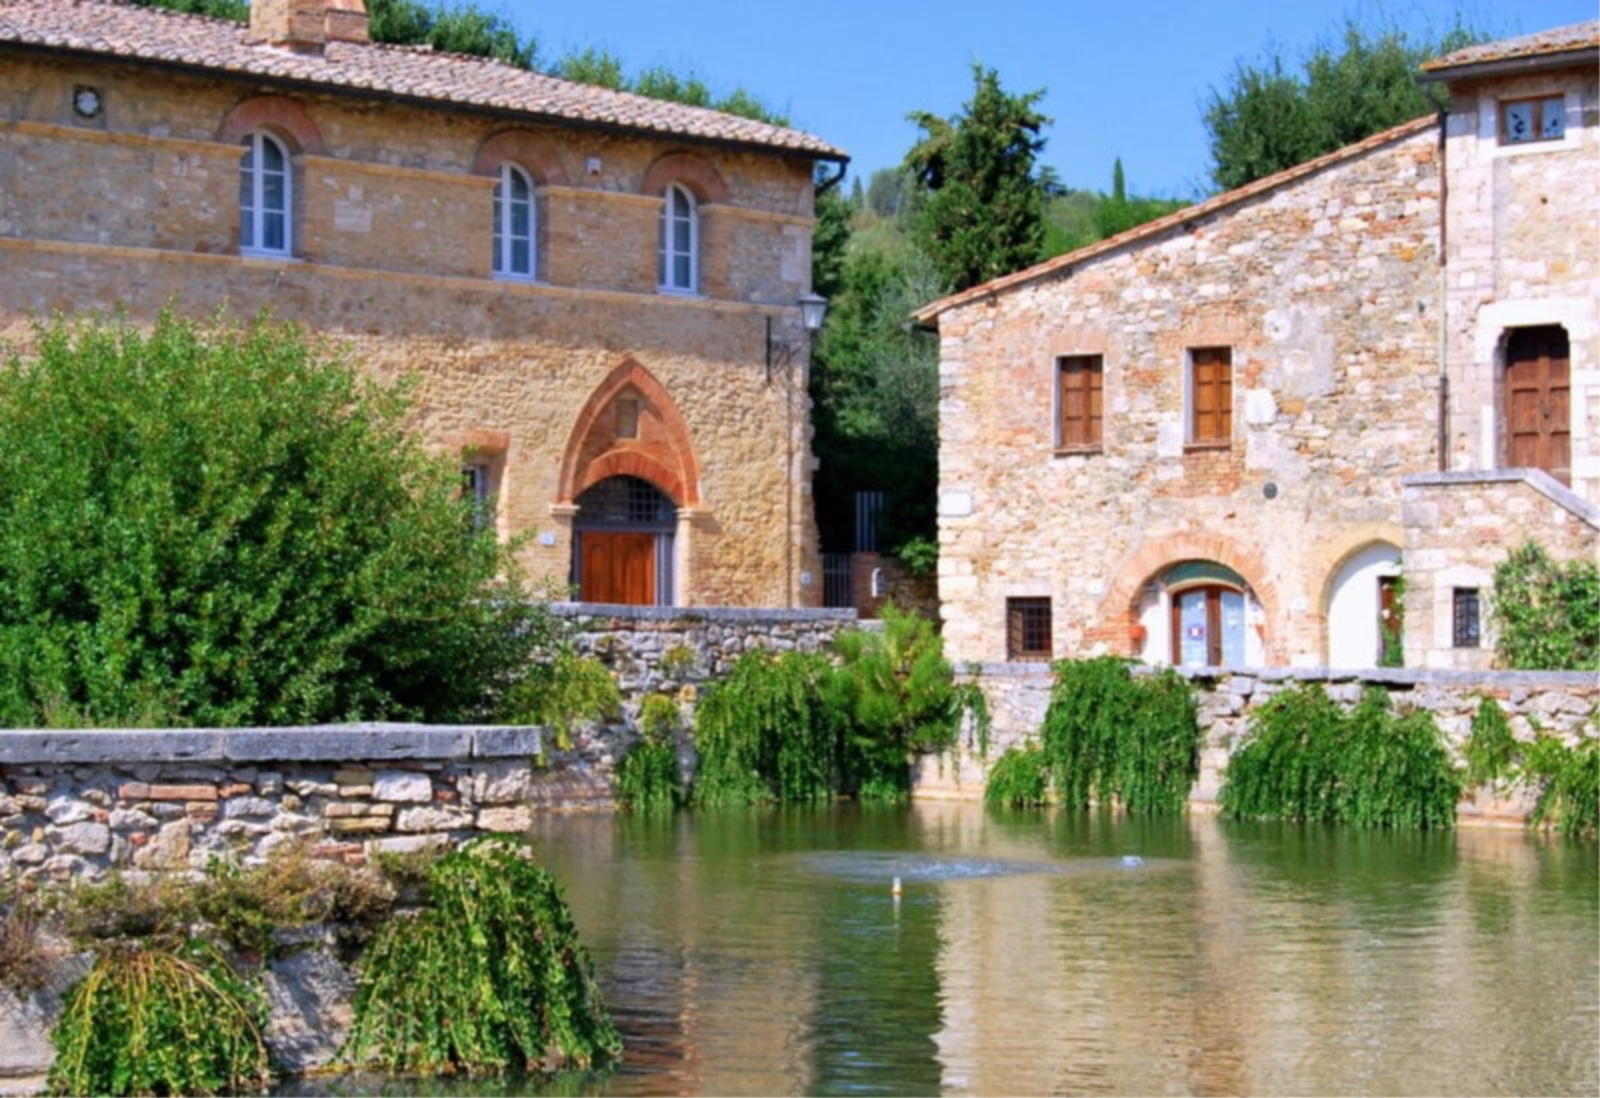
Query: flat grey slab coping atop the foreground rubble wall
[[305, 743]]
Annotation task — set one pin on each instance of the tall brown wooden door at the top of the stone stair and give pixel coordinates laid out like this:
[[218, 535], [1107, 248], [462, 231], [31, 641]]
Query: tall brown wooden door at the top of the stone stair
[[1538, 403]]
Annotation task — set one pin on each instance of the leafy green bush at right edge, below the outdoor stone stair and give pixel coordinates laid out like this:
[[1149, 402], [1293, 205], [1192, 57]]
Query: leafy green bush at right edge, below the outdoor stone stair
[[1546, 615]]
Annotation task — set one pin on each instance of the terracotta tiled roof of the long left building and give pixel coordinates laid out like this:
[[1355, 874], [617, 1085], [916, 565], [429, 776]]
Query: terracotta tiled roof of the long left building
[[114, 30]]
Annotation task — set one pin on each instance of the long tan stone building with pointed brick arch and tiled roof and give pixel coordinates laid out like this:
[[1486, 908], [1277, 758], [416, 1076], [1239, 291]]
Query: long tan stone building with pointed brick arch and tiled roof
[[598, 294]]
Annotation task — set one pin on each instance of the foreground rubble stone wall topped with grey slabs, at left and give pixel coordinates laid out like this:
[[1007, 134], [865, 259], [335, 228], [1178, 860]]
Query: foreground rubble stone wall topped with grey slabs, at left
[[79, 803]]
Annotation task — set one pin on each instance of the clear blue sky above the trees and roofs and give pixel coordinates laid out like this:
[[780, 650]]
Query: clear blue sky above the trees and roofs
[[1122, 79]]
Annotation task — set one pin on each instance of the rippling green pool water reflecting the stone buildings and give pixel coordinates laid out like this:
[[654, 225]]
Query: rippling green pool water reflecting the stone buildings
[[764, 953]]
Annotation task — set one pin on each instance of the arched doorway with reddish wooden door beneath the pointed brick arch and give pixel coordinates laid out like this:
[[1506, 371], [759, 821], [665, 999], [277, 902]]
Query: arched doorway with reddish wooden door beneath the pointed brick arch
[[623, 543]]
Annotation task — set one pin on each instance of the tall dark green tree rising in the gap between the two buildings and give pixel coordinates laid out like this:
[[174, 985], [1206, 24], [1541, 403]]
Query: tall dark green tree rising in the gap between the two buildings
[[983, 215]]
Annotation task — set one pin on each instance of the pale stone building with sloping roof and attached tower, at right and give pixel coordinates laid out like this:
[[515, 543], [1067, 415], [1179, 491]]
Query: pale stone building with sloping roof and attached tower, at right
[[1302, 422]]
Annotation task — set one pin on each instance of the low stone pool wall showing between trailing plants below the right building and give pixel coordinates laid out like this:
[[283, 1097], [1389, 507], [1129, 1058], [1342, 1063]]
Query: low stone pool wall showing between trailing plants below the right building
[[1562, 703]]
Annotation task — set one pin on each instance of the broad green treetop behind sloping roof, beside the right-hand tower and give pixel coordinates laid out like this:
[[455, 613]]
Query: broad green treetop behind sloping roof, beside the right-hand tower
[[1271, 116]]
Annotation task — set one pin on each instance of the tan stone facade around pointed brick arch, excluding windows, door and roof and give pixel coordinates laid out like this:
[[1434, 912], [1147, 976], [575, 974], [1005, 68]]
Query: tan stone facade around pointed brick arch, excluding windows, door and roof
[[138, 210]]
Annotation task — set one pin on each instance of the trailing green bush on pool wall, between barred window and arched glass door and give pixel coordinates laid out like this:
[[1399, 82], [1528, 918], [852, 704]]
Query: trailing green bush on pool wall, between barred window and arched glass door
[[1111, 737]]
